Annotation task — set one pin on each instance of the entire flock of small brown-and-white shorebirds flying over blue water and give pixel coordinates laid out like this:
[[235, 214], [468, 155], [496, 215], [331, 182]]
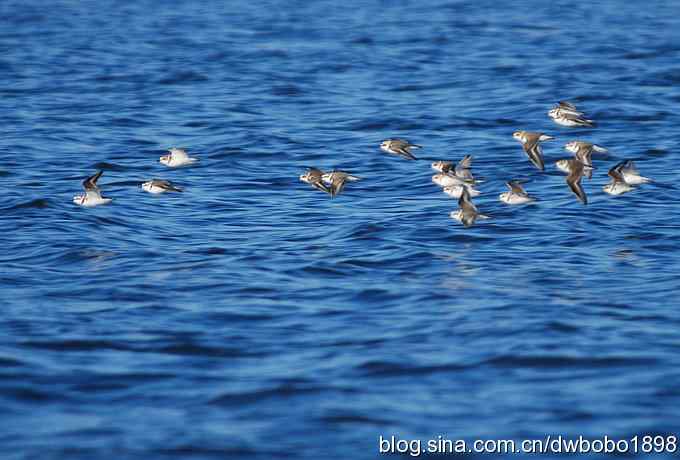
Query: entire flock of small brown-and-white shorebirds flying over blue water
[[456, 179]]
